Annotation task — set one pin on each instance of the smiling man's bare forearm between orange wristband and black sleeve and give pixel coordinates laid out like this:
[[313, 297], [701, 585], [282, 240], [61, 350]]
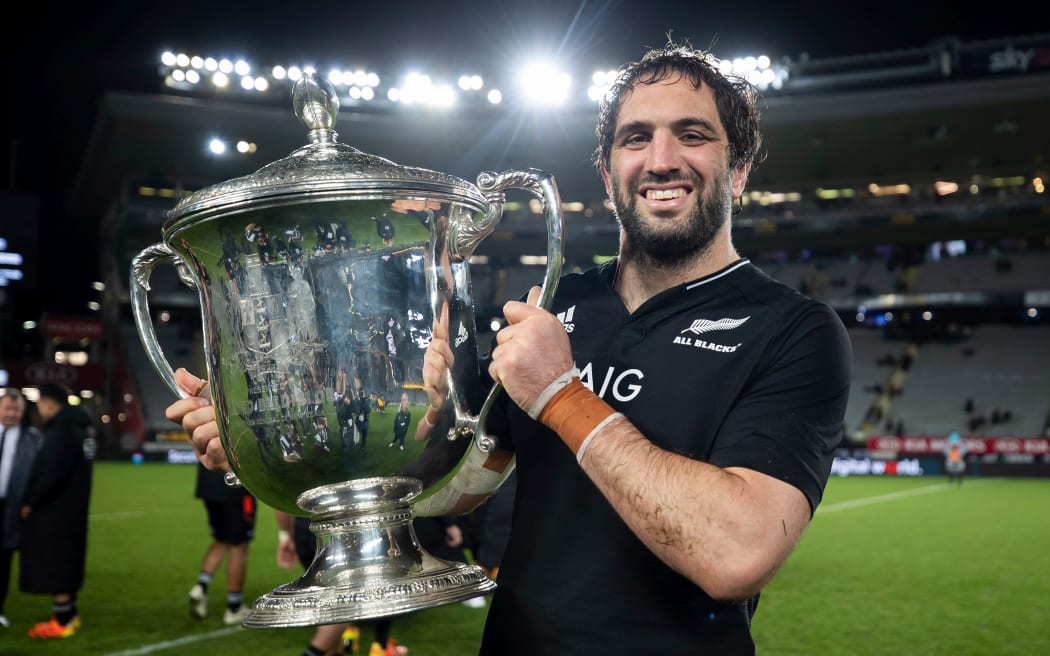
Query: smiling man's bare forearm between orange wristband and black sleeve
[[727, 531]]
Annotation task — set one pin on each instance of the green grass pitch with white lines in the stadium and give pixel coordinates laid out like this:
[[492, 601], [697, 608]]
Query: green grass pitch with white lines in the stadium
[[890, 566]]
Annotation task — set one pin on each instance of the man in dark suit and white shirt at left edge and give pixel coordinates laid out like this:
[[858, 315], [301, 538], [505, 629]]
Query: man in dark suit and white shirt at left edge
[[19, 445]]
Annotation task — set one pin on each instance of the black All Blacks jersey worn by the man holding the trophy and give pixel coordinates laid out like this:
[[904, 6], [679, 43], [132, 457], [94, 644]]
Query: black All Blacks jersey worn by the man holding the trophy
[[736, 370]]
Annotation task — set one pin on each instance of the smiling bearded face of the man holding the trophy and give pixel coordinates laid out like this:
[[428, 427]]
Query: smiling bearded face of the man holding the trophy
[[668, 174]]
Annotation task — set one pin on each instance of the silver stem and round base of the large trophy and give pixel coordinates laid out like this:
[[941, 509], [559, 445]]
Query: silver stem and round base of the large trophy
[[369, 563]]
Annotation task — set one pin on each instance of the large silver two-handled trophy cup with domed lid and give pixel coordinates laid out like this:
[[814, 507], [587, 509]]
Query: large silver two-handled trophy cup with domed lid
[[320, 278]]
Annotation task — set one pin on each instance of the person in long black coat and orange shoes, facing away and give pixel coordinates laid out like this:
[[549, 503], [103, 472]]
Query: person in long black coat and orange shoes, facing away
[[55, 512]]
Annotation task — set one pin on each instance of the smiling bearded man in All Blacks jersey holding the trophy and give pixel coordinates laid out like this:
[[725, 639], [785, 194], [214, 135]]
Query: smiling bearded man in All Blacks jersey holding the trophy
[[700, 399]]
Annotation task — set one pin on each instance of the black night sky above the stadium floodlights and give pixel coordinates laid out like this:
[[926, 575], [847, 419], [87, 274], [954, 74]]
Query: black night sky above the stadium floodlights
[[59, 67]]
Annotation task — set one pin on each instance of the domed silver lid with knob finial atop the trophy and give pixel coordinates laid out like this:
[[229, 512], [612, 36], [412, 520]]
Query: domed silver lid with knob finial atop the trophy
[[323, 170]]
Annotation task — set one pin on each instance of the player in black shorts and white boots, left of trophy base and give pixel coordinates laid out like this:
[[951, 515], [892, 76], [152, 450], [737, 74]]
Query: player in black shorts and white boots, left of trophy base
[[232, 523]]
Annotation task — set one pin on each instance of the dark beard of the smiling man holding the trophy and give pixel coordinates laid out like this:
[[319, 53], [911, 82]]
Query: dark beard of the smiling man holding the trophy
[[679, 242]]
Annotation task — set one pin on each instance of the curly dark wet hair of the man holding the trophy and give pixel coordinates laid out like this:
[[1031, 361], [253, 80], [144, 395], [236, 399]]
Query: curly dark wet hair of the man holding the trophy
[[736, 98]]
